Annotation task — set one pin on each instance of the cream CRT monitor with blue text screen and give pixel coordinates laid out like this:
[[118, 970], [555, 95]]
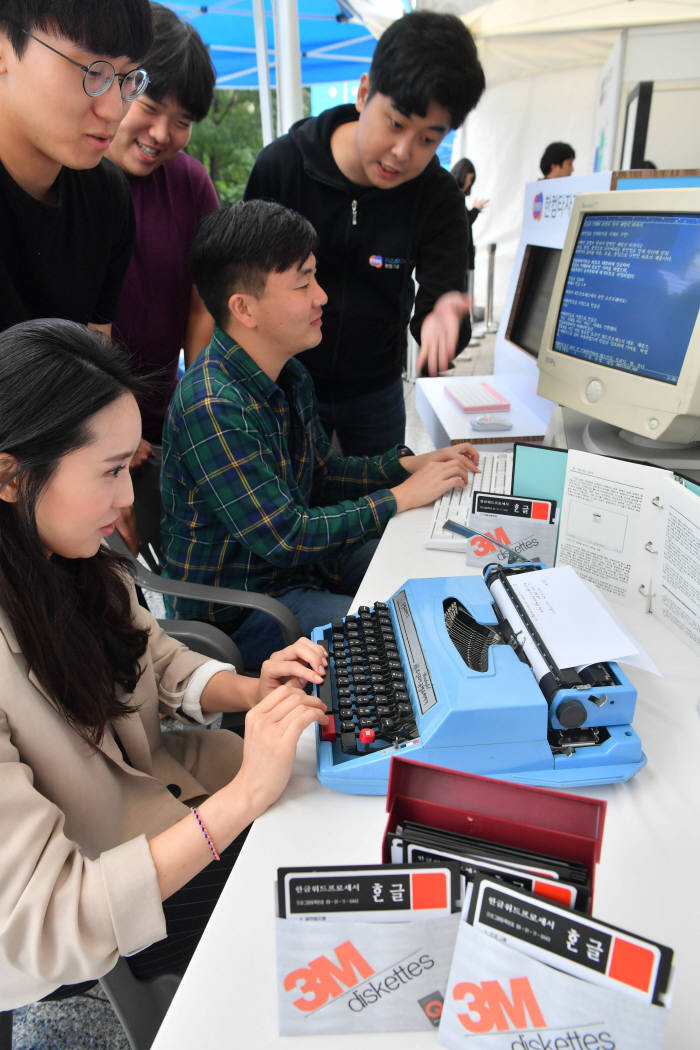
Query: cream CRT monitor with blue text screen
[[622, 341]]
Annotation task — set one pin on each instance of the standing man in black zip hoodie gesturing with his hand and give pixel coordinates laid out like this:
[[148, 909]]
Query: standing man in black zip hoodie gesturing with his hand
[[368, 179]]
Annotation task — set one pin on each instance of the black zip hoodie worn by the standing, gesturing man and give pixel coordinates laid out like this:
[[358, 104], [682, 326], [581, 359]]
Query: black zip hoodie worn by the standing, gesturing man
[[371, 243]]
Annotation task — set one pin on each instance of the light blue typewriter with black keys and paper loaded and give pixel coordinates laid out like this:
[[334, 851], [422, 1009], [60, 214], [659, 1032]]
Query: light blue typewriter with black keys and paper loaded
[[440, 675]]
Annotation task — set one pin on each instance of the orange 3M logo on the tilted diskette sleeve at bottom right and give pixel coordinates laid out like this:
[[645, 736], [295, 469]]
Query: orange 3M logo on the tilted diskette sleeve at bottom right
[[489, 1006]]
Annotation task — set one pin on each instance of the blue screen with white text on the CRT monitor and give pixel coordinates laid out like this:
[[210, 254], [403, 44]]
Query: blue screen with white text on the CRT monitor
[[633, 293]]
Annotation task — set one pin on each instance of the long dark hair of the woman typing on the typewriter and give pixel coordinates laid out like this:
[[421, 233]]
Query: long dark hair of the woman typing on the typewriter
[[72, 617]]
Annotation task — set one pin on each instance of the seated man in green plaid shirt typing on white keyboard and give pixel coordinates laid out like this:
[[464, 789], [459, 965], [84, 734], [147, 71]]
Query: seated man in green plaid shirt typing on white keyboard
[[254, 494]]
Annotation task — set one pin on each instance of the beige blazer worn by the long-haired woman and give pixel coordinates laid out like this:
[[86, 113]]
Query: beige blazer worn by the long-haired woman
[[78, 887]]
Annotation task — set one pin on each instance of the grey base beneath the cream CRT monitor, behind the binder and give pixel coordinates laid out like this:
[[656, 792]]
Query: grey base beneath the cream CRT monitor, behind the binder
[[574, 430]]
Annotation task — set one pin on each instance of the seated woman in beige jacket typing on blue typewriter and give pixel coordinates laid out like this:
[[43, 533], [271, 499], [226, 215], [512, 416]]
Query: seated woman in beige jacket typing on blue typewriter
[[97, 824]]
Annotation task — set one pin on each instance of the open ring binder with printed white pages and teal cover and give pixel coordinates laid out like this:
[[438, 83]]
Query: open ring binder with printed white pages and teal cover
[[631, 529]]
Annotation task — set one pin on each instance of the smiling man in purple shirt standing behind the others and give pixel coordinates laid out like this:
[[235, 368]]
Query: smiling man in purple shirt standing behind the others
[[160, 310]]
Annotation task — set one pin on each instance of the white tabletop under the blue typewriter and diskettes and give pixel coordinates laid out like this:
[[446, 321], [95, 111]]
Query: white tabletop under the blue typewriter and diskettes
[[647, 880]]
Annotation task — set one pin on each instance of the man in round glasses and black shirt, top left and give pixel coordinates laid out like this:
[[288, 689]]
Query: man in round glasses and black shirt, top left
[[69, 74]]
